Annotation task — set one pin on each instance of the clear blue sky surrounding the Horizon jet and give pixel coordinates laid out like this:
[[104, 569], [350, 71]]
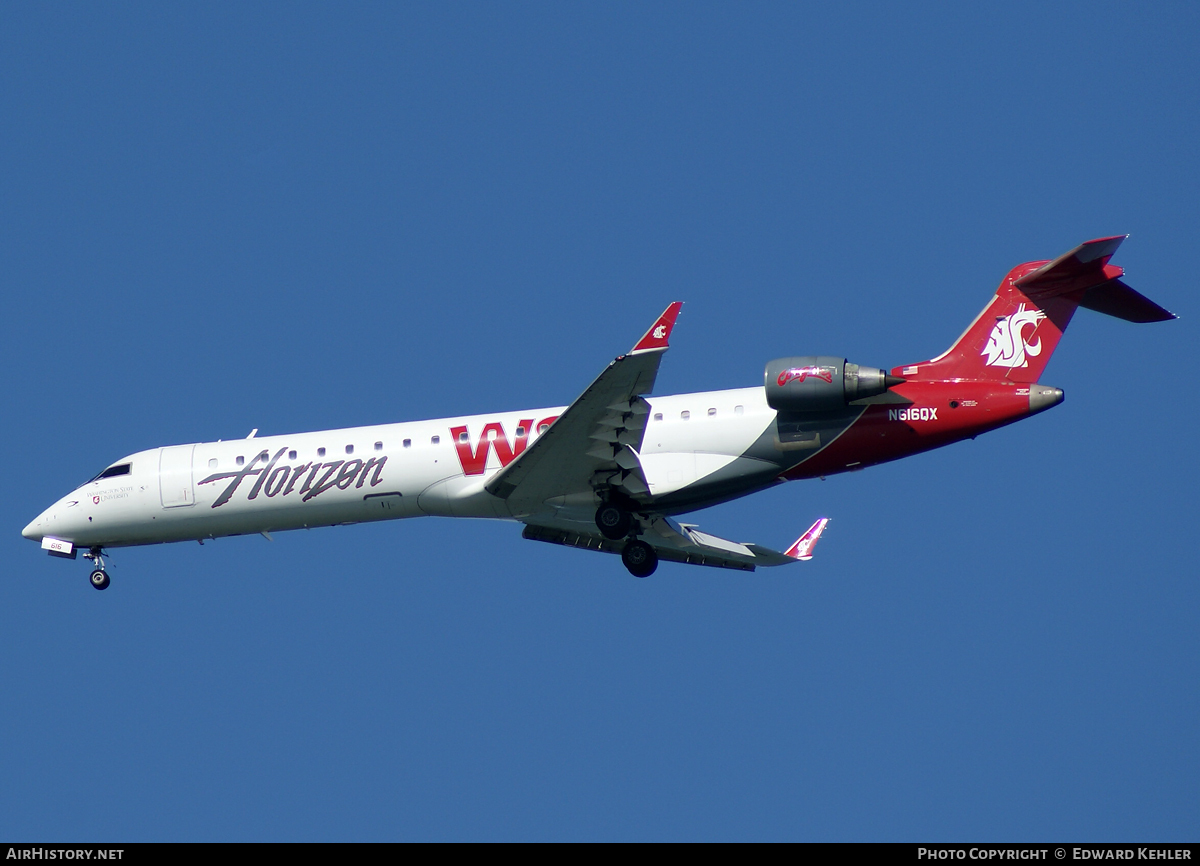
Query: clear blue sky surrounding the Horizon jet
[[218, 218]]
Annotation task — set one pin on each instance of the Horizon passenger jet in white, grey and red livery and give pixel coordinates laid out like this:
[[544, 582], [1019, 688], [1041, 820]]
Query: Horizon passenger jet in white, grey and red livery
[[614, 470]]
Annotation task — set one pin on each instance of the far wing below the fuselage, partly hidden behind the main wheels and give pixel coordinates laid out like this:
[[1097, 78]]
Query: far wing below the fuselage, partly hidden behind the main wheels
[[685, 544]]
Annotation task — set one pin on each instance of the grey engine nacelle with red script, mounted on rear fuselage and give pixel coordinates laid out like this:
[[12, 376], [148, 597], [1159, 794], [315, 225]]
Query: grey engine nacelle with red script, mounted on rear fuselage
[[820, 383]]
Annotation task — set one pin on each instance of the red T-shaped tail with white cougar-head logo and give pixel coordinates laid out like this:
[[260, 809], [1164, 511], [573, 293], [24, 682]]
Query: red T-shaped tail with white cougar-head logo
[[1013, 339]]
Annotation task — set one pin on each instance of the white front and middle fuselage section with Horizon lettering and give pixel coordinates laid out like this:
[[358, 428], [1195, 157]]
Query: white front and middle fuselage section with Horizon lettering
[[387, 472]]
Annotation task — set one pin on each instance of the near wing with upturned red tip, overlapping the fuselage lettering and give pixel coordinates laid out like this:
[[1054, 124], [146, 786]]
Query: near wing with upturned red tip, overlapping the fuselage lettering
[[590, 444]]
